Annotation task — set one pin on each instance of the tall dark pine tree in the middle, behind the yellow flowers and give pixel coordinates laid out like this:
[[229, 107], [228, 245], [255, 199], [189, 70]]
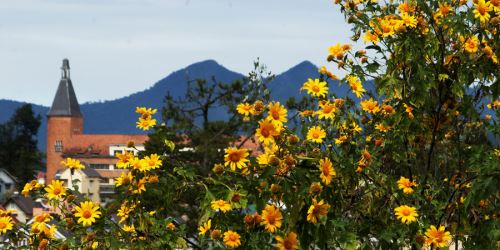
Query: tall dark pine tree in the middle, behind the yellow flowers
[[202, 124]]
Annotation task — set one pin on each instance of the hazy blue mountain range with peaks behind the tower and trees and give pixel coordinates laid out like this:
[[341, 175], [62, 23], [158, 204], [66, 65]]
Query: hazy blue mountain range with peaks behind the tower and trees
[[117, 116]]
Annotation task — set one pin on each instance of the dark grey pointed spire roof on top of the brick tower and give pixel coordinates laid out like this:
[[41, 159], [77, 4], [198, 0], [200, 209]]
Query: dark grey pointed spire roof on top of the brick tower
[[65, 102]]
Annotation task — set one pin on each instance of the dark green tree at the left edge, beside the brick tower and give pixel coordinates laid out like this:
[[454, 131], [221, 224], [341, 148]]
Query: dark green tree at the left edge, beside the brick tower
[[18, 144]]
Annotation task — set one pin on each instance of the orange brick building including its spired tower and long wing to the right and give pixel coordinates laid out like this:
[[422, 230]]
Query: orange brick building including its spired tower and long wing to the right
[[66, 138]]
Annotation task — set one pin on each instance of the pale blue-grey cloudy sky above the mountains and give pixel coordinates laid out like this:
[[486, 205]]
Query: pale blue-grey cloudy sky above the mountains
[[119, 47]]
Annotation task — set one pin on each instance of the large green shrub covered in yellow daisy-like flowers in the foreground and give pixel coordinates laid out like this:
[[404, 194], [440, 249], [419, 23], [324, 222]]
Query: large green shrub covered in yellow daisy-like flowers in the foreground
[[412, 165]]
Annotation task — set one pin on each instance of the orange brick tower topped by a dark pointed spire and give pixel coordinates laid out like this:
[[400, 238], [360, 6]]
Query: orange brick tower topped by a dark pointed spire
[[64, 121]]
